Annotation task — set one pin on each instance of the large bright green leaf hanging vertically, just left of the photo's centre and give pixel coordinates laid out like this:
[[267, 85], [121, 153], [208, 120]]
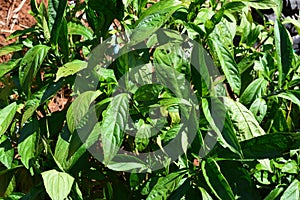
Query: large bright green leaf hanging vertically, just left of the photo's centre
[[113, 125]]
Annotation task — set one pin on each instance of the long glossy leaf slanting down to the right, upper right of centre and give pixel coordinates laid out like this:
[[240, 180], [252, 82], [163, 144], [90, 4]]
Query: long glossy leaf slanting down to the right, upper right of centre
[[228, 65]]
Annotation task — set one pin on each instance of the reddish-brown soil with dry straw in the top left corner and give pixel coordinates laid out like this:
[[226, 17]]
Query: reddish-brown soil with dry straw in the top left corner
[[14, 16]]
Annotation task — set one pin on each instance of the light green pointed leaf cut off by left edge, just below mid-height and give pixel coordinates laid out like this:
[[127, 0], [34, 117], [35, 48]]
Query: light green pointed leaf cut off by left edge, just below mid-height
[[6, 116]]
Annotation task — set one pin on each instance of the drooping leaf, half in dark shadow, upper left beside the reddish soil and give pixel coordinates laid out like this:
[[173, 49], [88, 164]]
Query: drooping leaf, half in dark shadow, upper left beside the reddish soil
[[30, 65]]
